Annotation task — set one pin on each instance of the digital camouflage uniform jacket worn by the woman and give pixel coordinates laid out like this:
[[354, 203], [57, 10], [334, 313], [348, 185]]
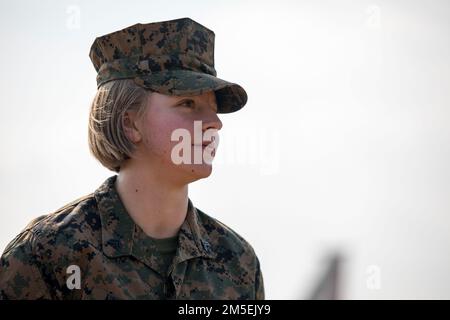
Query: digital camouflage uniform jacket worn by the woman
[[117, 260]]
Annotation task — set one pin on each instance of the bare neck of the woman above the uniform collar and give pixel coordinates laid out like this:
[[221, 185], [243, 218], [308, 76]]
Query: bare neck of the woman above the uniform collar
[[155, 203]]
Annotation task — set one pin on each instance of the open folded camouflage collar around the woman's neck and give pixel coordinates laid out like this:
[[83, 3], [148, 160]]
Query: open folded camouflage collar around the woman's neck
[[122, 237]]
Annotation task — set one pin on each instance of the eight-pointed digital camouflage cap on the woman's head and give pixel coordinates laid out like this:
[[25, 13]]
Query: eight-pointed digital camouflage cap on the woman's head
[[174, 57]]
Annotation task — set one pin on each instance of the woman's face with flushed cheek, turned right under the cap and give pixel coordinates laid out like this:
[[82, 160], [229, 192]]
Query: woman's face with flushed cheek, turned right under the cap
[[170, 118]]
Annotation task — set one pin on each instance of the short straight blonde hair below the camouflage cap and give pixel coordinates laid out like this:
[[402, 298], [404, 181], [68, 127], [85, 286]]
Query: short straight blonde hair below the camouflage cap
[[107, 140]]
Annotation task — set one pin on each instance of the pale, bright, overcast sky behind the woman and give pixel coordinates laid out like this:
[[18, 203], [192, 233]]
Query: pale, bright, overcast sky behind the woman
[[343, 146]]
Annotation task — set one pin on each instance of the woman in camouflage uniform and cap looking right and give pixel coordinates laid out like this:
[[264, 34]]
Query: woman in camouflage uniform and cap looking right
[[139, 236]]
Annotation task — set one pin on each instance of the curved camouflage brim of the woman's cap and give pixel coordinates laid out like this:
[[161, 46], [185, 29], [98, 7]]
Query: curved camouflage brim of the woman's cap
[[230, 96]]
